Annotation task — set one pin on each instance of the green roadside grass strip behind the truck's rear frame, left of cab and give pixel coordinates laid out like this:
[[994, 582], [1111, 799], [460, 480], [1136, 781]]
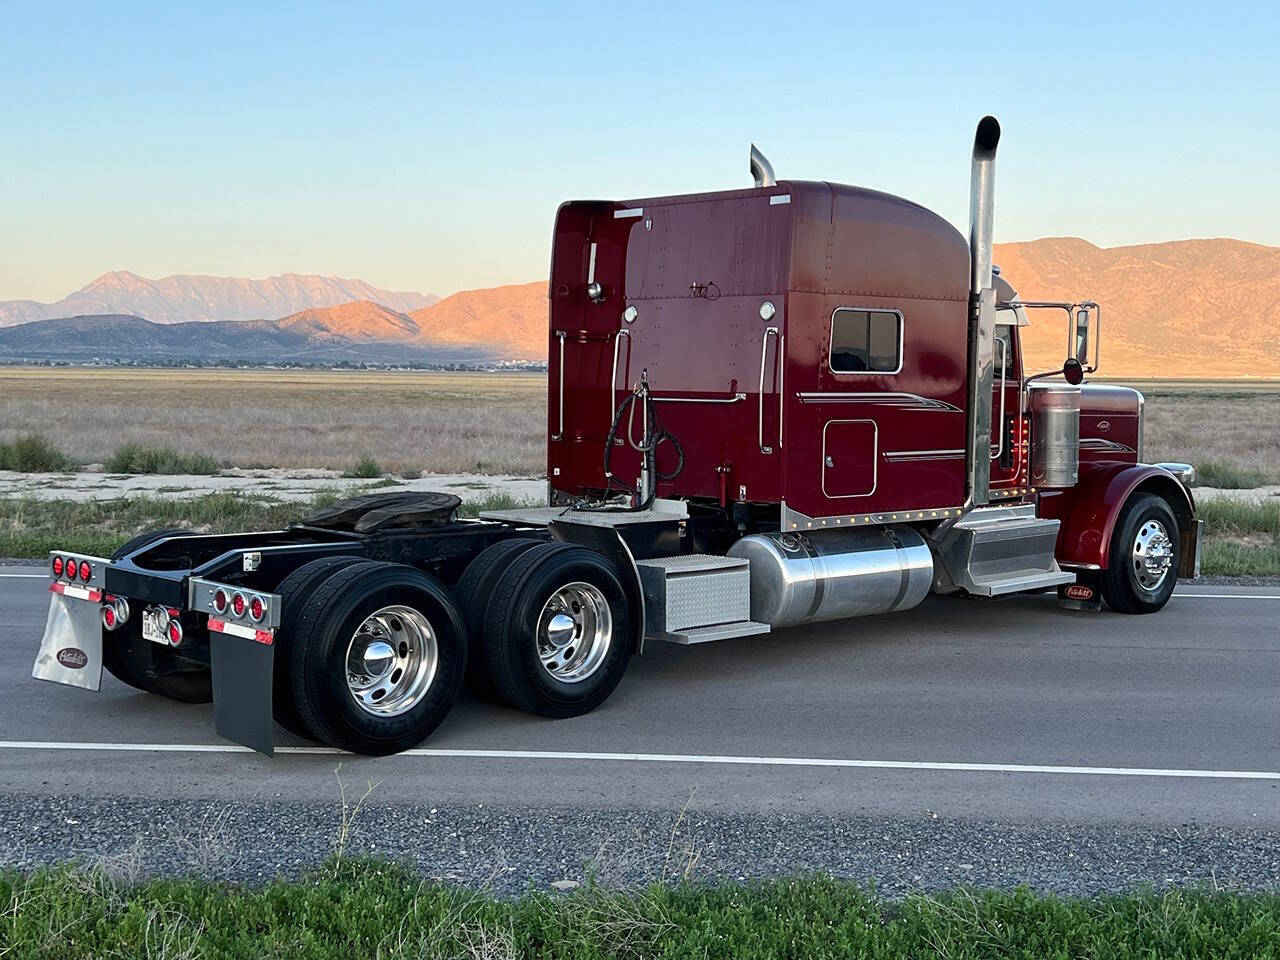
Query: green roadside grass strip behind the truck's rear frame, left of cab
[[31, 528]]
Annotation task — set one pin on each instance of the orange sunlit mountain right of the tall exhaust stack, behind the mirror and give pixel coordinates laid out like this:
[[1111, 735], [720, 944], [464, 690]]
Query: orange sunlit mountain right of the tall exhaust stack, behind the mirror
[[1183, 309]]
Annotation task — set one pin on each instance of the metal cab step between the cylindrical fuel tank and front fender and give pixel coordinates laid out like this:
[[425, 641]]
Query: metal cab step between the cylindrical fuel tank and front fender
[[1003, 551]]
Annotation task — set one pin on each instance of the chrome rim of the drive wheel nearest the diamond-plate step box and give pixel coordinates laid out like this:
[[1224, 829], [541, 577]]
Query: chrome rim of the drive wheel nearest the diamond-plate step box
[[575, 630]]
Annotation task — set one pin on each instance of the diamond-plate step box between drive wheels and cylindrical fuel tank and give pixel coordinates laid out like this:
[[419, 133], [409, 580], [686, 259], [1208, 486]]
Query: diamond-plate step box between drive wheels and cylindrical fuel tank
[[698, 596]]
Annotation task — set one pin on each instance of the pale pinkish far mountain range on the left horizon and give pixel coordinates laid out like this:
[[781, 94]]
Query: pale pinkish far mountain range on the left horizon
[[186, 298]]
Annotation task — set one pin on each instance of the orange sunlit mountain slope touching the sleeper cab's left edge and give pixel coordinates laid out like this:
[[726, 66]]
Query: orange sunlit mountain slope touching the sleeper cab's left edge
[[511, 321]]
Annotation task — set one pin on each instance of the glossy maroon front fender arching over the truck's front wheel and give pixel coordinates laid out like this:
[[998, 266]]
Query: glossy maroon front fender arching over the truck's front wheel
[[1091, 510]]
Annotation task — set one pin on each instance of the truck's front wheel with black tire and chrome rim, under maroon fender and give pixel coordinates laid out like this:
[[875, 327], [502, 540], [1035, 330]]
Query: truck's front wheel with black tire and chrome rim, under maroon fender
[[1144, 563]]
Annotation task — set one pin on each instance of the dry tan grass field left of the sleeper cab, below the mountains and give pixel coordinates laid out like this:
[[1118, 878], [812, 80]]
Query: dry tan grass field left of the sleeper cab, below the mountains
[[435, 422]]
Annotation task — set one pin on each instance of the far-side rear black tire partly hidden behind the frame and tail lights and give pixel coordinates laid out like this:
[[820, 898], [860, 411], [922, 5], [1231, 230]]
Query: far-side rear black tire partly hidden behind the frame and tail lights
[[148, 666]]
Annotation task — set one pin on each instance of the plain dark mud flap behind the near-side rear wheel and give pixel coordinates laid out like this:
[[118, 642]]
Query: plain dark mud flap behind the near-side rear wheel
[[243, 691]]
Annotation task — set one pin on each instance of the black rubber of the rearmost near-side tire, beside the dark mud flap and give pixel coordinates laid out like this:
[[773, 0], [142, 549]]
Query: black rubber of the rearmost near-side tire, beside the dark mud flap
[[318, 657]]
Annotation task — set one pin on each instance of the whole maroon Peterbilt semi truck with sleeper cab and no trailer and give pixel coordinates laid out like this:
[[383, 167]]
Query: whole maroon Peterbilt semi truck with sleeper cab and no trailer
[[780, 405]]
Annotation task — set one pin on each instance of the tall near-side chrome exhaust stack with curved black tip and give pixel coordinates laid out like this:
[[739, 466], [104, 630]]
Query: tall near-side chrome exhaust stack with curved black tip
[[982, 316]]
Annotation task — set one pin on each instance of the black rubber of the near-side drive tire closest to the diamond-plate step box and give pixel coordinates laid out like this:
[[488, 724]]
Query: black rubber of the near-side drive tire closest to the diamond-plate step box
[[511, 630]]
